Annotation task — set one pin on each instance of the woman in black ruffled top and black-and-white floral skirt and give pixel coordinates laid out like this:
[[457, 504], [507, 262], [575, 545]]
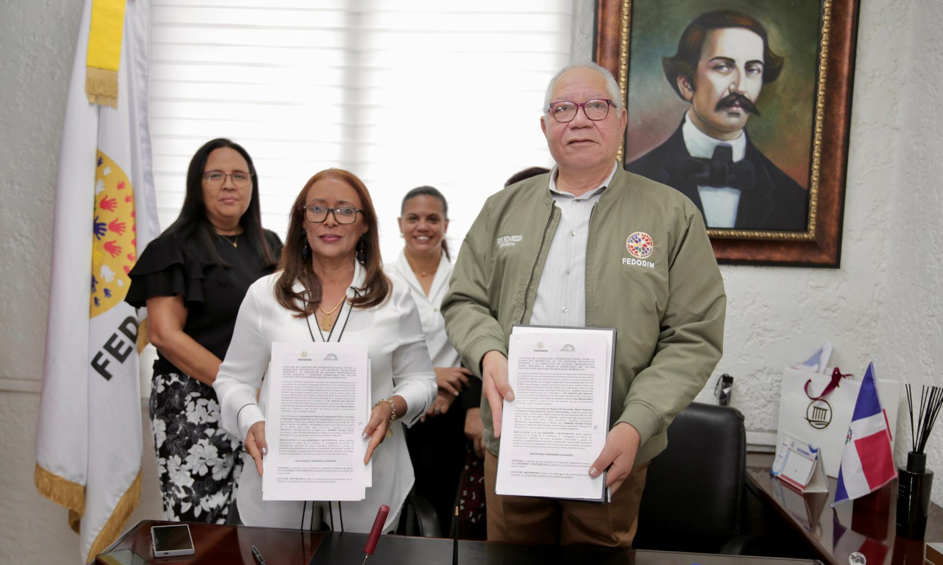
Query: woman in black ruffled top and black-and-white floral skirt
[[193, 279]]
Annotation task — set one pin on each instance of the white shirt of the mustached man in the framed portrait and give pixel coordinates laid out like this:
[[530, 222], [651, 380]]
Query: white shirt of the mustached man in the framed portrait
[[720, 203]]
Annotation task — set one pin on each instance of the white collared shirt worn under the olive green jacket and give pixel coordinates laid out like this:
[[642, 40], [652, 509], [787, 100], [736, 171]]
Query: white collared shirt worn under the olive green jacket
[[561, 293]]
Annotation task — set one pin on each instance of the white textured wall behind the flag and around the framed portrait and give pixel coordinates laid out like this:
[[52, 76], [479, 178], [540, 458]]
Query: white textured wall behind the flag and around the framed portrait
[[883, 302]]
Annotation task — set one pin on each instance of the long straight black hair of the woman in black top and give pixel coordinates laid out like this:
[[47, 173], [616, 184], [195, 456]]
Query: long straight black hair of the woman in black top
[[193, 225]]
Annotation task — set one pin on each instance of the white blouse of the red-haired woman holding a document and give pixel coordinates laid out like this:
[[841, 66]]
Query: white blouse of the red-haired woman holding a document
[[399, 365]]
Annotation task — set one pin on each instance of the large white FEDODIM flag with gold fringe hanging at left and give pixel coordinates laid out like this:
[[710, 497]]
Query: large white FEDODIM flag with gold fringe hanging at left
[[89, 446]]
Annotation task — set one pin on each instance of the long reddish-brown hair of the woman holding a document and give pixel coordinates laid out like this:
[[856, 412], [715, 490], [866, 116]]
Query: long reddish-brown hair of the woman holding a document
[[294, 267]]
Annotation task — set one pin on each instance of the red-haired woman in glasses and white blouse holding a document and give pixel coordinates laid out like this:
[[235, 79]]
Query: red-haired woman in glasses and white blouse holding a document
[[329, 287]]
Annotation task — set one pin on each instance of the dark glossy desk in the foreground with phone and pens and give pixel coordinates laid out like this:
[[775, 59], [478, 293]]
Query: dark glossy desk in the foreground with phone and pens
[[230, 545]]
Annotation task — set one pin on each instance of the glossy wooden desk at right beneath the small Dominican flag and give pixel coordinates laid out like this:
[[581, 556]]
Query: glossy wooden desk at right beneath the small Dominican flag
[[868, 527]]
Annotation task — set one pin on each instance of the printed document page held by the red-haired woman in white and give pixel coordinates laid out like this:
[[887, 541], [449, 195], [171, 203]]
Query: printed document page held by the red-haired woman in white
[[318, 406]]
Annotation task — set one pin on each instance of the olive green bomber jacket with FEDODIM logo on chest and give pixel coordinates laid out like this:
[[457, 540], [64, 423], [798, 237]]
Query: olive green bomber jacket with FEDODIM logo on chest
[[668, 307]]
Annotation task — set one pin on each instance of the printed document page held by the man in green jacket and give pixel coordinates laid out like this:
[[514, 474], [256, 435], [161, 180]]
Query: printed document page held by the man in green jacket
[[557, 424]]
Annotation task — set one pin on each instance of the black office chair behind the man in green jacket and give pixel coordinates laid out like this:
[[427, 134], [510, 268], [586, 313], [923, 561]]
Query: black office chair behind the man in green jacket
[[694, 494]]
